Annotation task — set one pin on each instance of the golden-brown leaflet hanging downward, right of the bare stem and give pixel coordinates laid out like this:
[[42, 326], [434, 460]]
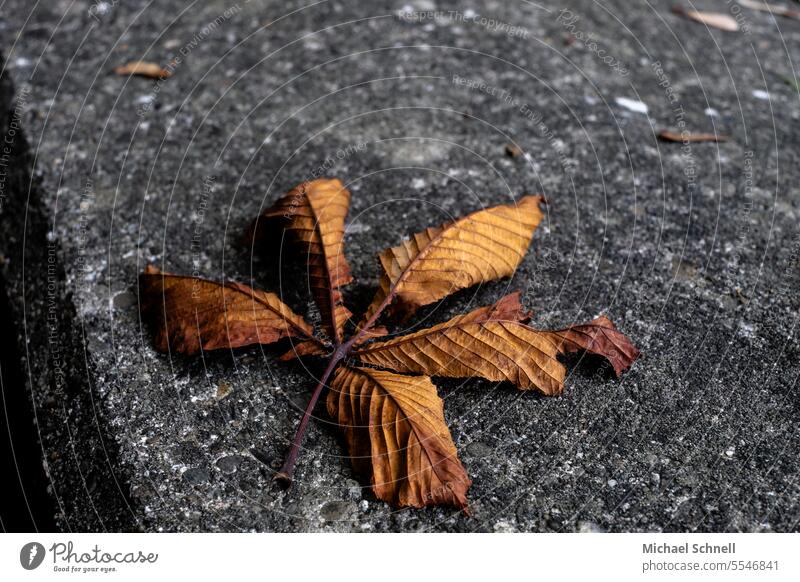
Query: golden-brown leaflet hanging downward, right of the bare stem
[[396, 432]]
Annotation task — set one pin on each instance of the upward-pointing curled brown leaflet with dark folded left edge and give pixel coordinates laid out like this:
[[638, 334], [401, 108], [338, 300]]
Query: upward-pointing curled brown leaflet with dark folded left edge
[[313, 215]]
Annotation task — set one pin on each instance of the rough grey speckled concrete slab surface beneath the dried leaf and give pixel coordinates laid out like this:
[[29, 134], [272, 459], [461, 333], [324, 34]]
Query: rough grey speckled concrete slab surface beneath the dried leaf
[[692, 251]]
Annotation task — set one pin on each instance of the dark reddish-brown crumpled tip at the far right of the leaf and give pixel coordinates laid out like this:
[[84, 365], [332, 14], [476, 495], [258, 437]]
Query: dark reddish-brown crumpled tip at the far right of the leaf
[[599, 337]]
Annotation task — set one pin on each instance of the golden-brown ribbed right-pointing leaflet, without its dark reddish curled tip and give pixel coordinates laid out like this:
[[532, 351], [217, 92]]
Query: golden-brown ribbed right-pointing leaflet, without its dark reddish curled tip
[[489, 342]]
